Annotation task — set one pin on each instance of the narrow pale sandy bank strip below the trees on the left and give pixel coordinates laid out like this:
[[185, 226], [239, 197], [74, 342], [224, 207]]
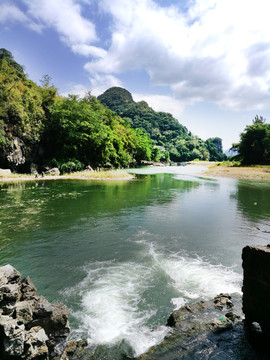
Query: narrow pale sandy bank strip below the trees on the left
[[81, 175]]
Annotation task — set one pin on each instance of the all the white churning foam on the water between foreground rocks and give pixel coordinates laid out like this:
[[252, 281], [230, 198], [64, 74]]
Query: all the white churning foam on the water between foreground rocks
[[112, 302]]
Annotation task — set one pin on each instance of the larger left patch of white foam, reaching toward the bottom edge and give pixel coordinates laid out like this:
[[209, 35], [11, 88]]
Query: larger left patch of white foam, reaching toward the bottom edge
[[111, 308]]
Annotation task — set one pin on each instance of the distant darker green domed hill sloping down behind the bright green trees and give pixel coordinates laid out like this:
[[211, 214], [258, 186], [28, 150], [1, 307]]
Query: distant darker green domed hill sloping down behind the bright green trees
[[163, 129]]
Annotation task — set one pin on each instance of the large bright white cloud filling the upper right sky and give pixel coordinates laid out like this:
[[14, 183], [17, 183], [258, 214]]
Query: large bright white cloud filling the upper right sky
[[217, 52]]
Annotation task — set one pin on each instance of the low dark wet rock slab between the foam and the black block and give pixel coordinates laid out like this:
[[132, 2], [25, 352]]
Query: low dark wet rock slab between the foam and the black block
[[207, 329]]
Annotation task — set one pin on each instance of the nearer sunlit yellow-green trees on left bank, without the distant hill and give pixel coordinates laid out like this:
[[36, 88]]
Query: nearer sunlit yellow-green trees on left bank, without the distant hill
[[38, 126]]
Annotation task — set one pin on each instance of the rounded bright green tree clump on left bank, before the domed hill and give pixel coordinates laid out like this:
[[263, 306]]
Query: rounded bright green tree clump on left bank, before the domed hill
[[85, 130]]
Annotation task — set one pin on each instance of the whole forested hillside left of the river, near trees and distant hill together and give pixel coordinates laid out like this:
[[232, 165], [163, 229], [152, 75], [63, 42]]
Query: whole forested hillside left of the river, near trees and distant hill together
[[39, 126]]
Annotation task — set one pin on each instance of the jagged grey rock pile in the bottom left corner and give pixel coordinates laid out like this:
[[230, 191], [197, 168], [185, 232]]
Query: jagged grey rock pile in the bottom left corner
[[30, 326]]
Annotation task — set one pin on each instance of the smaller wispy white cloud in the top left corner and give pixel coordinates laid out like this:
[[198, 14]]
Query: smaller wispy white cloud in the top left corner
[[65, 17]]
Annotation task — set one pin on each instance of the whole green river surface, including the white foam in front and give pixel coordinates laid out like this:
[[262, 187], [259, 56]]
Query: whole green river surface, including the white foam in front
[[123, 255]]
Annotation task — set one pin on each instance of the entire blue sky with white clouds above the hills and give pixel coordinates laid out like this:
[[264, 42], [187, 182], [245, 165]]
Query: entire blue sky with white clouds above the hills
[[207, 62]]
